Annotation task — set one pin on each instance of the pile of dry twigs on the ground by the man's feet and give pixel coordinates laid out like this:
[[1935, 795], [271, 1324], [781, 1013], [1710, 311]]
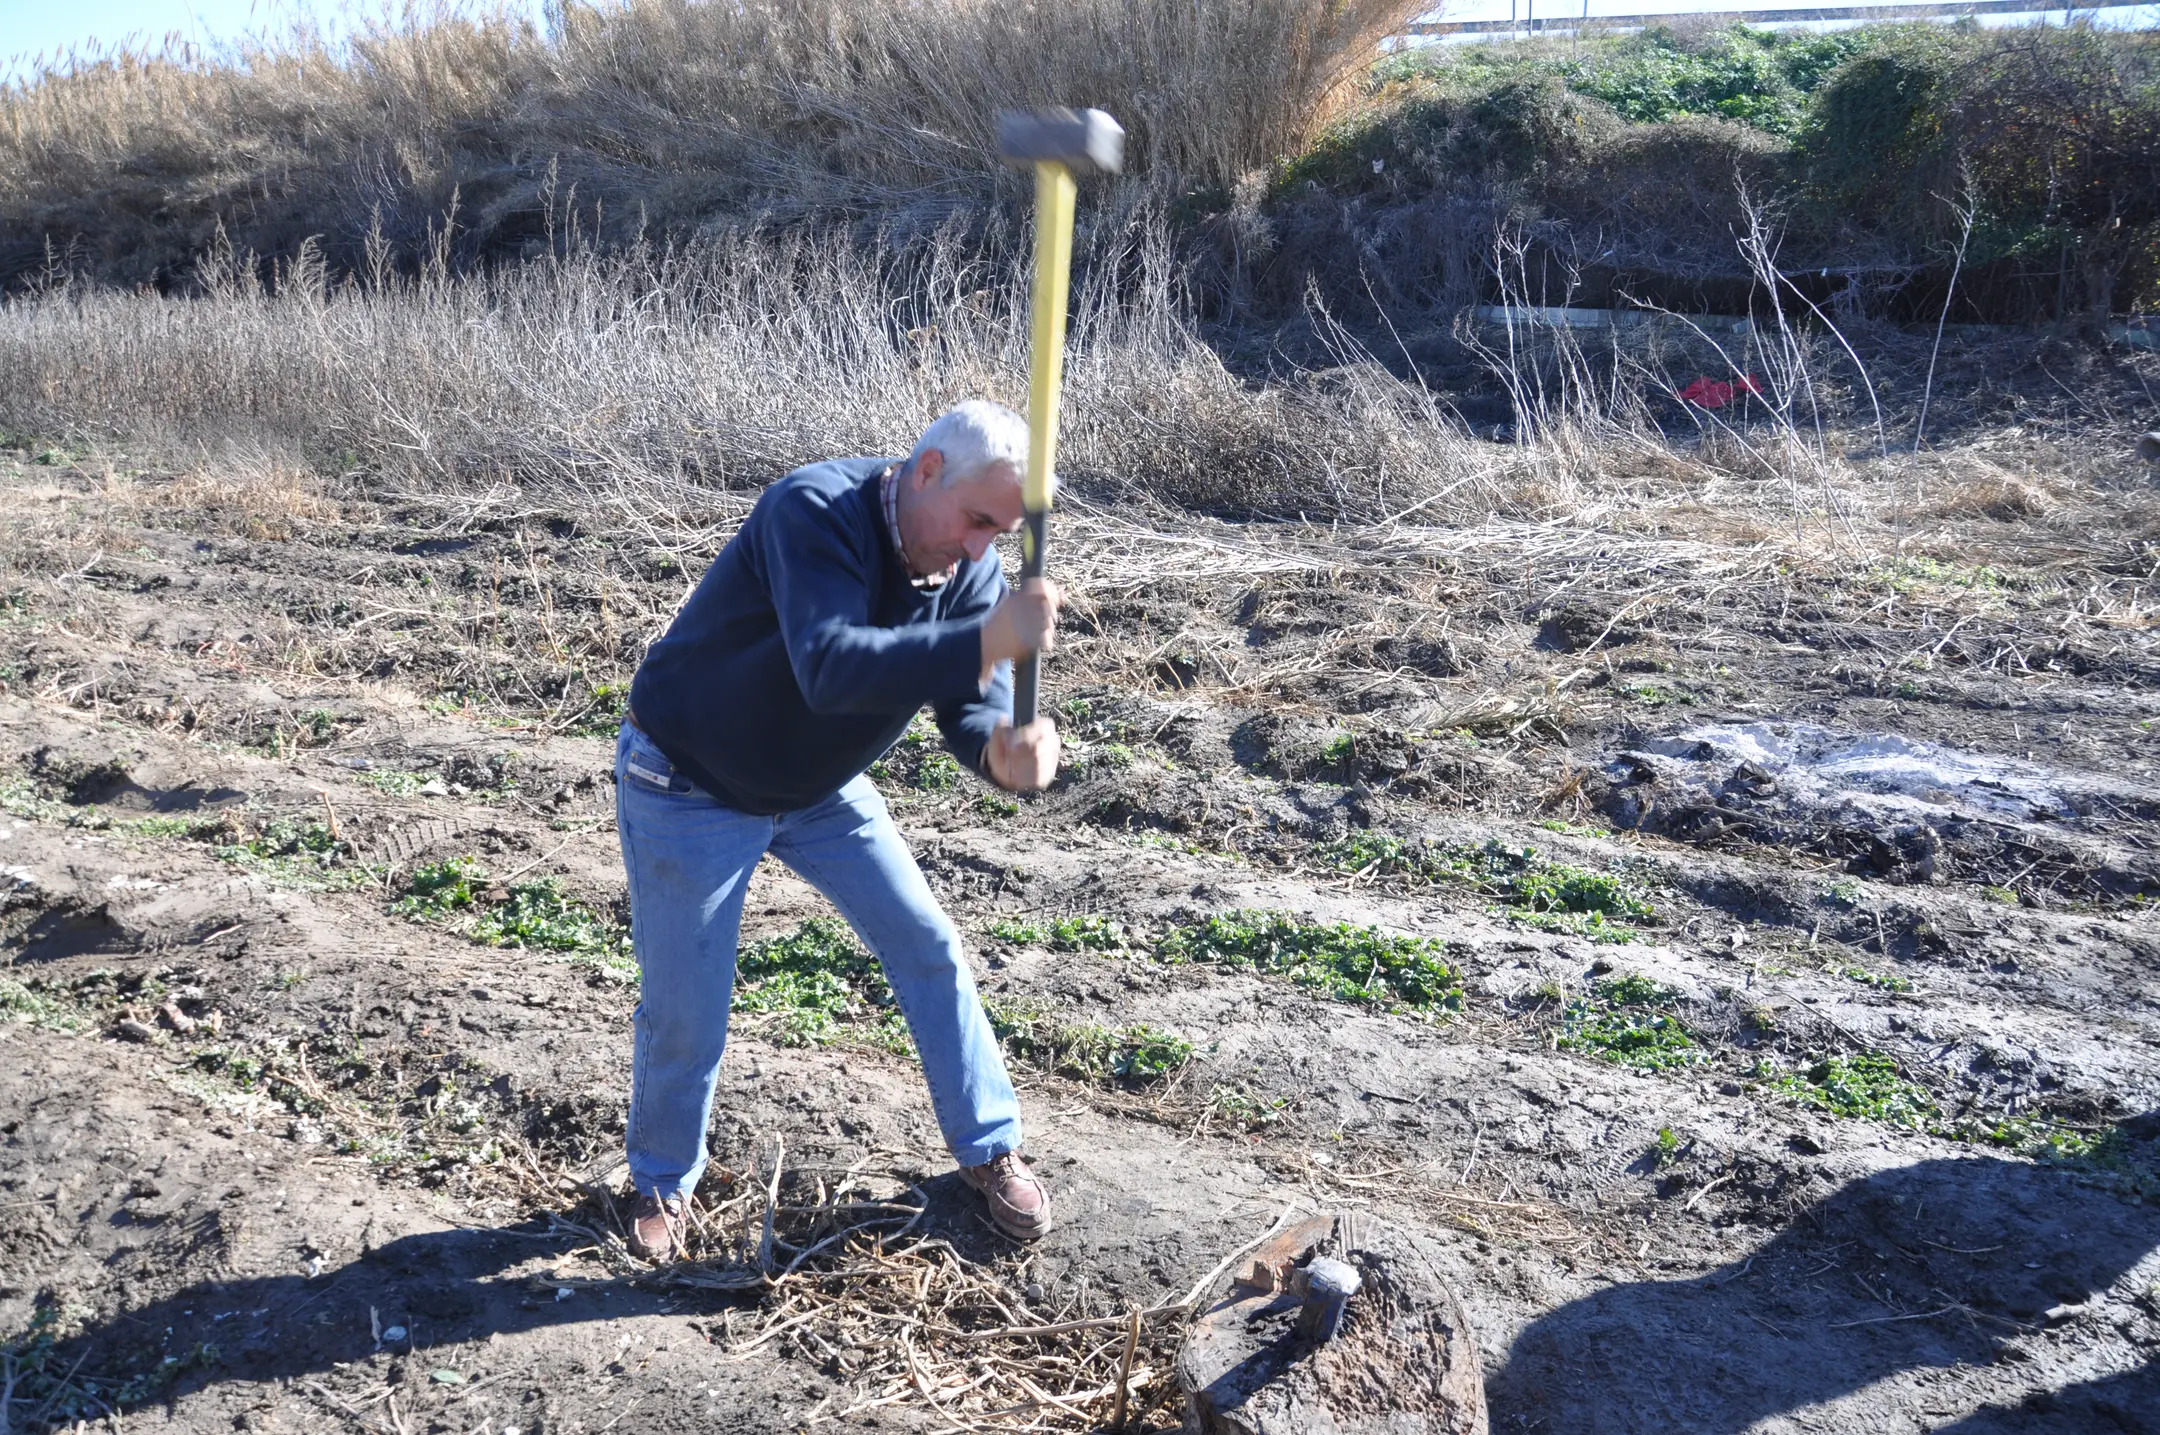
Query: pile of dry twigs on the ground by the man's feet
[[908, 1319]]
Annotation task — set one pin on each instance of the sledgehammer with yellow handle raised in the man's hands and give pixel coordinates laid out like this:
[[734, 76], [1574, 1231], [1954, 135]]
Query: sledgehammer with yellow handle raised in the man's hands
[[1059, 146]]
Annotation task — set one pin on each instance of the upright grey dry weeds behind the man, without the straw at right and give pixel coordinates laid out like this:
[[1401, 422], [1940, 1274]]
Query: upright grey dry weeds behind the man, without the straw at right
[[653, 381]]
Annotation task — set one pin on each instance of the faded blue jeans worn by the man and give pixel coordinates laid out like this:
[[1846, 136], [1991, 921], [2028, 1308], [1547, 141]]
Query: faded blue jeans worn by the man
[[690, 863]]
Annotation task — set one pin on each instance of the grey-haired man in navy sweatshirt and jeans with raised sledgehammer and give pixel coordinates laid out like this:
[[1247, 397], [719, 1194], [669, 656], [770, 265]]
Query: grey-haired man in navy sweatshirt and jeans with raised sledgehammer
[[856, 593]]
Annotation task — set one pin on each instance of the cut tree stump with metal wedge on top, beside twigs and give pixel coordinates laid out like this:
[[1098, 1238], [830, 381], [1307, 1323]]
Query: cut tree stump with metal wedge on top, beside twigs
[[1405, 1360]]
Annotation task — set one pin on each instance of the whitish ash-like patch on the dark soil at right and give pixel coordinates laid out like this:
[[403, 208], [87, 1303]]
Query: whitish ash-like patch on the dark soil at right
[[1895, 775]]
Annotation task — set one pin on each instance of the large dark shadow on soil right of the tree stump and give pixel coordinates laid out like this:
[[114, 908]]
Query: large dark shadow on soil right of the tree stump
[[1936, 1268]]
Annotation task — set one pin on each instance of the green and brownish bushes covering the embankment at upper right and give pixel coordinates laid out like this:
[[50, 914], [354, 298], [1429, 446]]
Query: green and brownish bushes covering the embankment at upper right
[[1869, 142]]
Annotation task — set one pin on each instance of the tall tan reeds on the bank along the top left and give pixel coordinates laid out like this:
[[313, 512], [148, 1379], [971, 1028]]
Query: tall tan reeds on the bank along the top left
[[664, 116]]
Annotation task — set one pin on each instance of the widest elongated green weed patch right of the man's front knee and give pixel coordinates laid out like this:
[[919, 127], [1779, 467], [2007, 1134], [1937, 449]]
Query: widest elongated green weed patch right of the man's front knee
[[1342, 963]]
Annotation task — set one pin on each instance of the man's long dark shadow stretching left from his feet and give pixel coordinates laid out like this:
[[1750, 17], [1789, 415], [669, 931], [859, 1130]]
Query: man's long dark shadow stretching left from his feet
[[399, 1302]]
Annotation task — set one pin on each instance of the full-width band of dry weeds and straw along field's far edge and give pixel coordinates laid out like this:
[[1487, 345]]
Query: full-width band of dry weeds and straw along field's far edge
[[658, 390]]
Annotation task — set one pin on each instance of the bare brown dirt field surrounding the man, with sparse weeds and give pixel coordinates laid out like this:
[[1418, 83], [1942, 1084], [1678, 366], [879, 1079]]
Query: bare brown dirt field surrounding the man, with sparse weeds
[[1876, 829]]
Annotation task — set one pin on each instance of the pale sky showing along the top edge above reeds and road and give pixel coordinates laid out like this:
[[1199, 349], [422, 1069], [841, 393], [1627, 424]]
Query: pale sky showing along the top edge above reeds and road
[[55, 27]]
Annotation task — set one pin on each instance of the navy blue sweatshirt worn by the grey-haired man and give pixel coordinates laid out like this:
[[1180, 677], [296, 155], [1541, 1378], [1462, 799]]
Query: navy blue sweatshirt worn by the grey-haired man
[[807, 649]]
